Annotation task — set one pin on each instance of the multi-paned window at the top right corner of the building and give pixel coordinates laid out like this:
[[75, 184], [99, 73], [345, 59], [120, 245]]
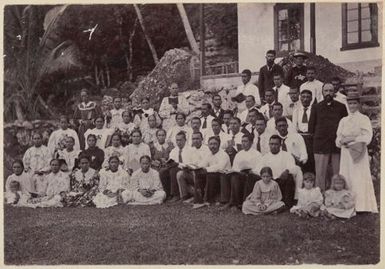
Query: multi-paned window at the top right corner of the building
[[359, 26]]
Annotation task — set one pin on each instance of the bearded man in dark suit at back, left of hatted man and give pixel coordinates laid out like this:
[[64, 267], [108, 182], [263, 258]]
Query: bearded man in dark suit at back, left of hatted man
[[266, 72]]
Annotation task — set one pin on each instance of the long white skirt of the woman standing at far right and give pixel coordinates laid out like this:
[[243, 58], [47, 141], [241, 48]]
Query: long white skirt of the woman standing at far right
[[359, 181]]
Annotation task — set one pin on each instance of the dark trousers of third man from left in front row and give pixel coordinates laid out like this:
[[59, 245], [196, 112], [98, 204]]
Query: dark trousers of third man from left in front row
[[217, 183]]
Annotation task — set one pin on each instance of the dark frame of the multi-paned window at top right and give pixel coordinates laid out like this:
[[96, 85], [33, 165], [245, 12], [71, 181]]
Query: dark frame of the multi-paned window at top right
[[360, 44]]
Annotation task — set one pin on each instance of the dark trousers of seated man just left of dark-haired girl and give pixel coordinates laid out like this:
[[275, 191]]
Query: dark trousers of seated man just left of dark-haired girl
[[242, 184]]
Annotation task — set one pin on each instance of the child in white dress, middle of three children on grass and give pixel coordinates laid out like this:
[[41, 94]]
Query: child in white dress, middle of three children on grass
[[310, 198]]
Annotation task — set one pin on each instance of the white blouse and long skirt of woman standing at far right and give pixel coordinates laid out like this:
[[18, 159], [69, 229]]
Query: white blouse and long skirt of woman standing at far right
[[358, 176]]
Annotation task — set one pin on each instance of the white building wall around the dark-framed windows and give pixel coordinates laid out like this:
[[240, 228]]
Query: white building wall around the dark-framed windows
[[256, 36]]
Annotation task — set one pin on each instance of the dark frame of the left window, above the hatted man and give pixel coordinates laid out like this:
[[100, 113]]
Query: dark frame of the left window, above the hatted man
[[277, 8]]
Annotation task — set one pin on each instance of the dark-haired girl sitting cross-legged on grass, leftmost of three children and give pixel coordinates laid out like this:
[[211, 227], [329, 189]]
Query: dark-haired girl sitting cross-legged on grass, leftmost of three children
[[266, 196]]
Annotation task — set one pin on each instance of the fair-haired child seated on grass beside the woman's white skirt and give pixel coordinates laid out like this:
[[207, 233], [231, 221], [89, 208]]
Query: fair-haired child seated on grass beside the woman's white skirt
[[339, 201]]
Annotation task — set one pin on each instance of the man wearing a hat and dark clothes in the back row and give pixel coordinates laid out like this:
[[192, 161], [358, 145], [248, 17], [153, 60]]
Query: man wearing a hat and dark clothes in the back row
[[296, 75]]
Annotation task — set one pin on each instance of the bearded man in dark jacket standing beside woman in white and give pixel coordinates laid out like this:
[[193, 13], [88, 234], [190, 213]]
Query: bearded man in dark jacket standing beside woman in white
[[323, 124]]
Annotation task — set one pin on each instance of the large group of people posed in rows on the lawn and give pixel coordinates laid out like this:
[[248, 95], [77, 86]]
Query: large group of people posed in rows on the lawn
[[259, 158]]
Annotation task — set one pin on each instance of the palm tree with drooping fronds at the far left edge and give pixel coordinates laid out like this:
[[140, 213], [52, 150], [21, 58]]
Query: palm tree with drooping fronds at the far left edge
[[29, 58]]
